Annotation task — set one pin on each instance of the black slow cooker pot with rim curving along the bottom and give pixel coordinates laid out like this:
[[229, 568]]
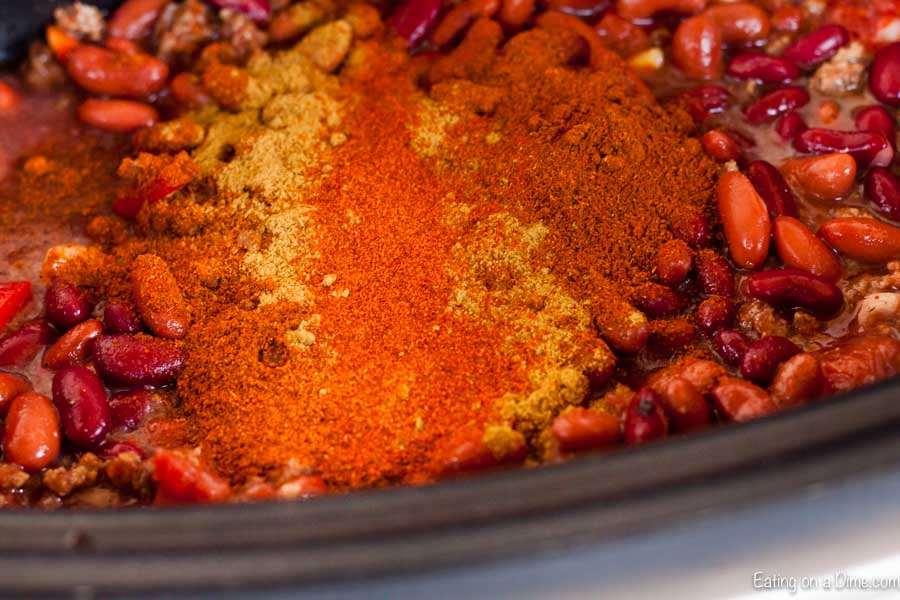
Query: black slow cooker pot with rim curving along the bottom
[[480, 518]]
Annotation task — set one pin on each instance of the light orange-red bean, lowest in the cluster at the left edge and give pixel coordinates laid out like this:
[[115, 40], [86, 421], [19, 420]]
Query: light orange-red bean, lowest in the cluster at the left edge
[[31, 438]]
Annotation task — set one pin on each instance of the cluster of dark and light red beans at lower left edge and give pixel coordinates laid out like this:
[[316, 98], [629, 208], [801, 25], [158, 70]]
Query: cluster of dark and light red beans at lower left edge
[[65, 339]]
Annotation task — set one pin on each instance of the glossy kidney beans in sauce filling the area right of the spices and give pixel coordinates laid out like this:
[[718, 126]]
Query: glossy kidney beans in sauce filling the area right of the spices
[[798, 101]]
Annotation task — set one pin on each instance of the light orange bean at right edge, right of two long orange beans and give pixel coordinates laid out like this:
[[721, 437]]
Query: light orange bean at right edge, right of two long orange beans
[[862, 238]]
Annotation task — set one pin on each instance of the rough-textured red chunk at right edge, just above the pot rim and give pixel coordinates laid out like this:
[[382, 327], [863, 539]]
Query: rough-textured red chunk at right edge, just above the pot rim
[[859, 361]]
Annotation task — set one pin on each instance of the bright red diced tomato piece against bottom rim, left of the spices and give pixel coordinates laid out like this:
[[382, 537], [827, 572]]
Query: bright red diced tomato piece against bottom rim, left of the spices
[[182, 480]]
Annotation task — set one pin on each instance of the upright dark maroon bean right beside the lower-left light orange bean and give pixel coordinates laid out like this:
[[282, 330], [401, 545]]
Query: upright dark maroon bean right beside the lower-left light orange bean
[[83, 406]]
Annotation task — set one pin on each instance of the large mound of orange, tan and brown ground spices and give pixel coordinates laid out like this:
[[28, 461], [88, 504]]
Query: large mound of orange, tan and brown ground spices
[[430, 264]]
